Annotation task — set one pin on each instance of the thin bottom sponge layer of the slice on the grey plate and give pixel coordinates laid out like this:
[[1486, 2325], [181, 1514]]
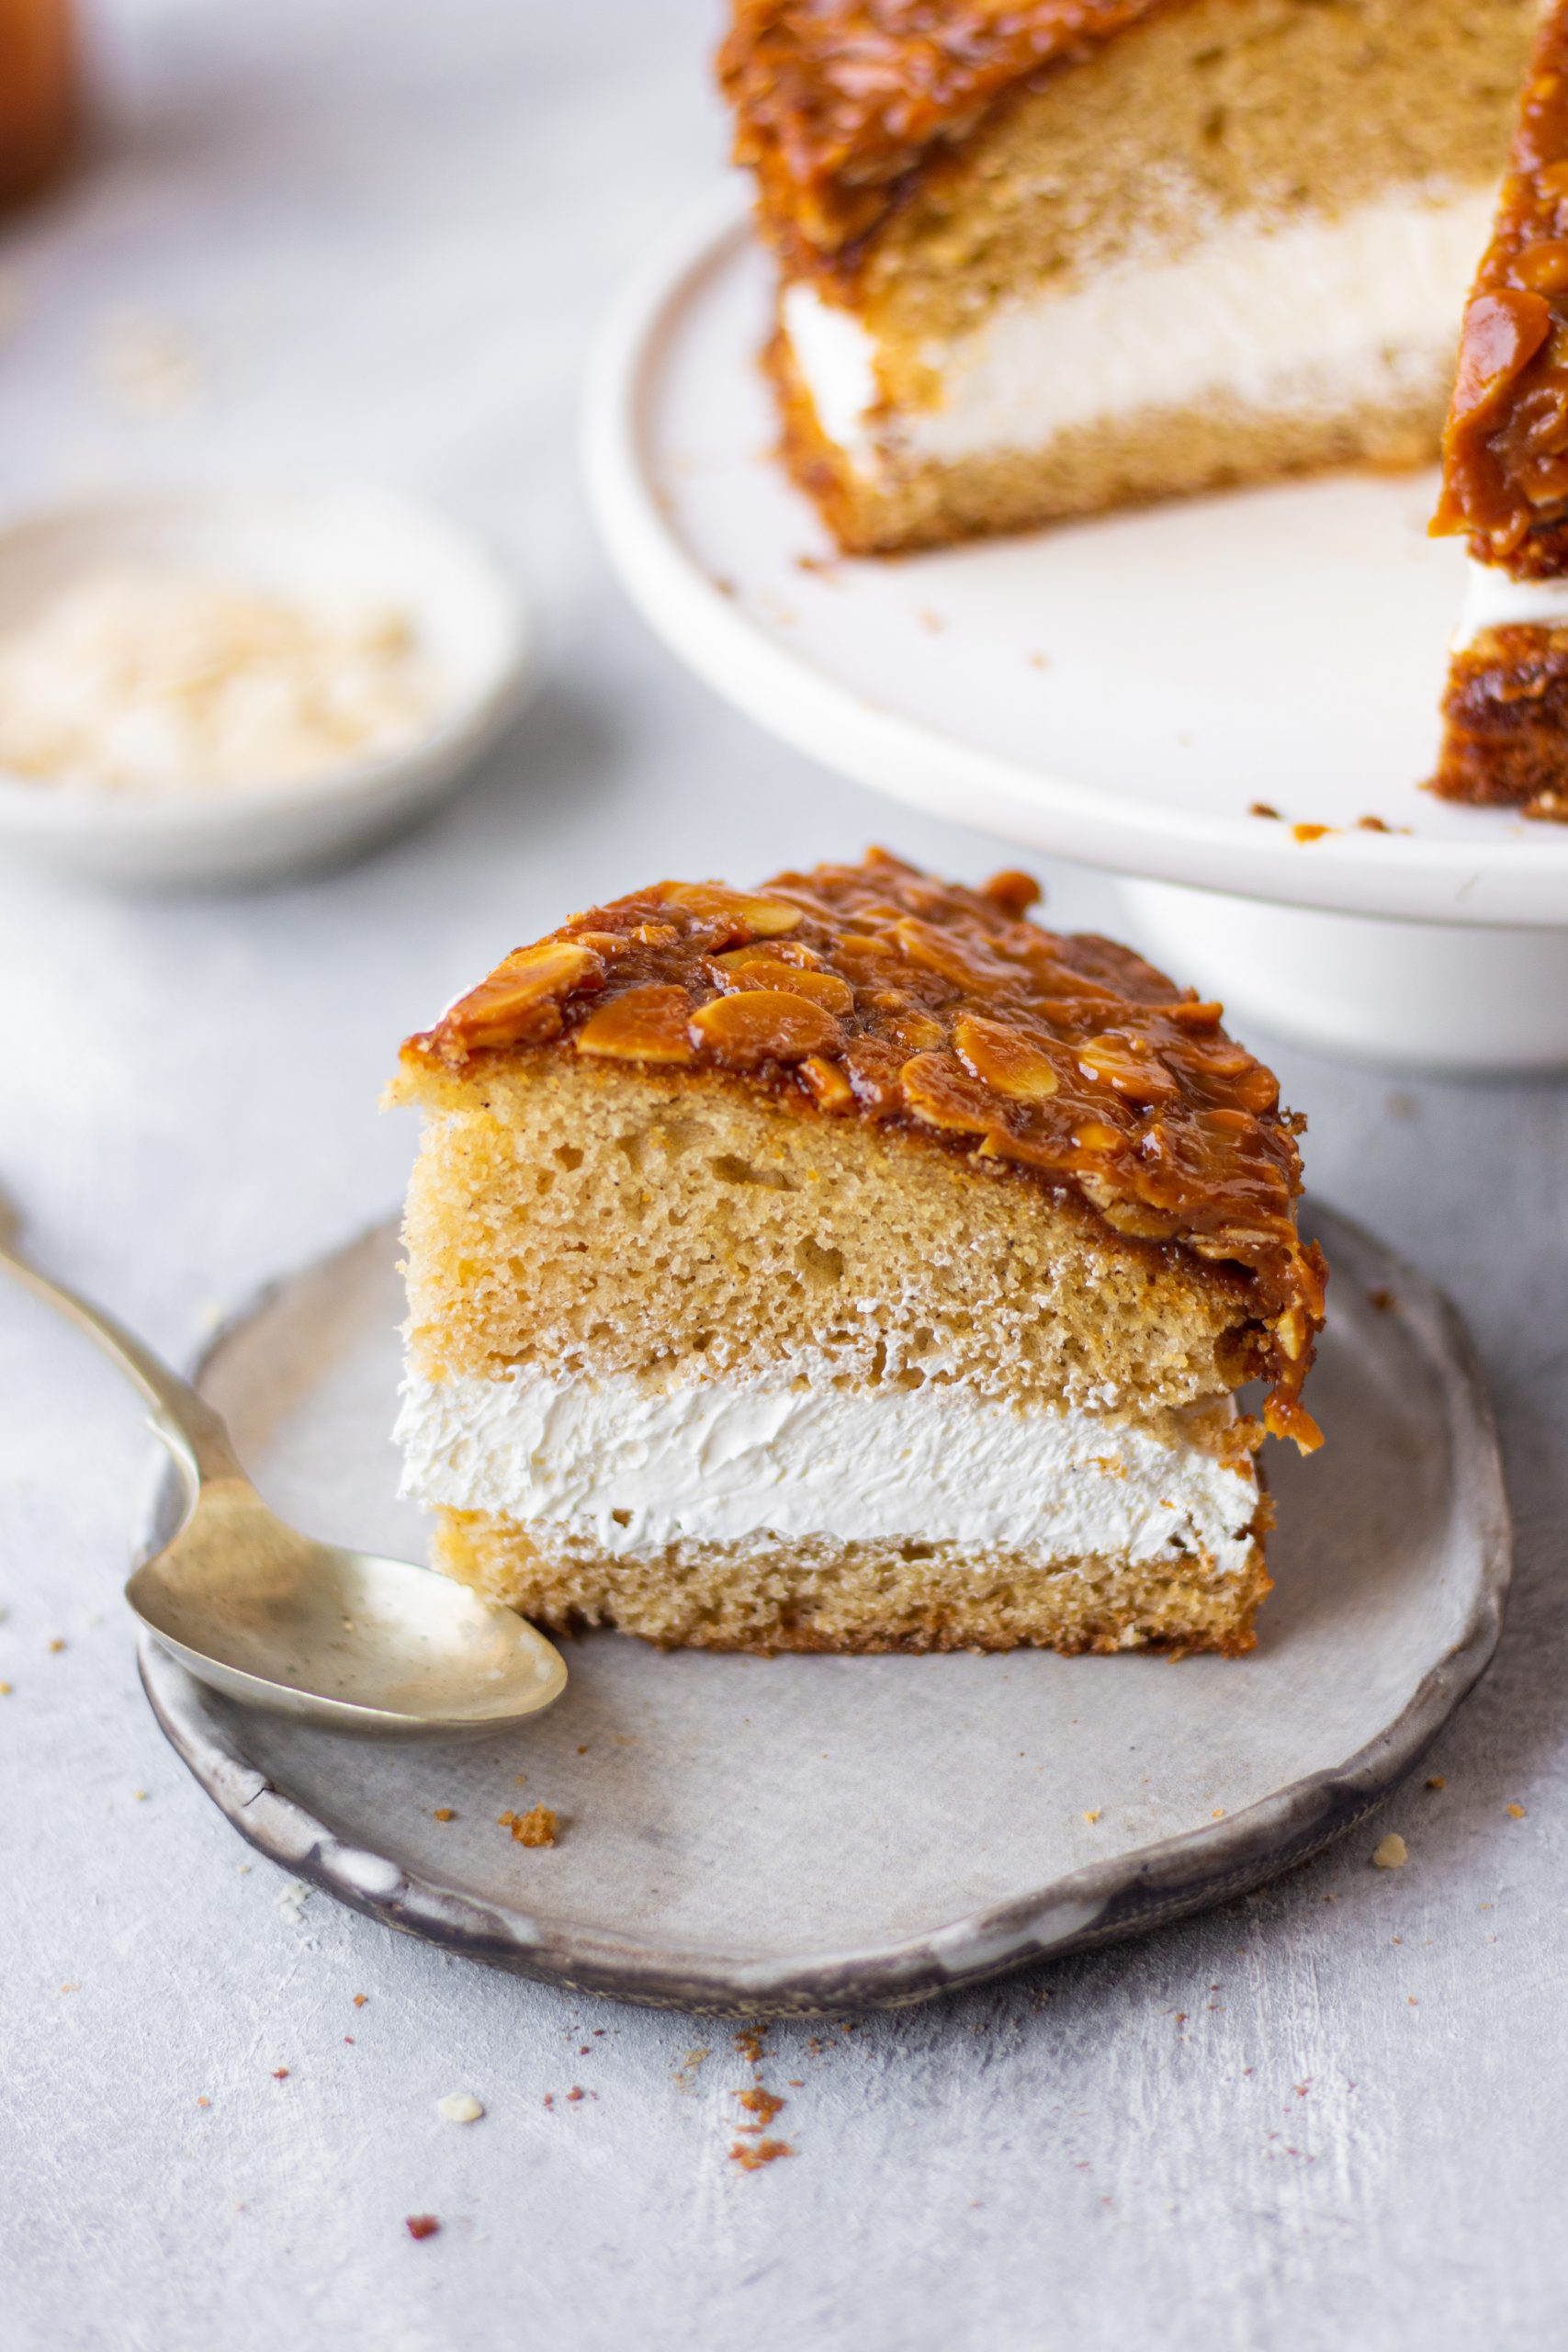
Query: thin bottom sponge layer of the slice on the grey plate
[[822, 1593]]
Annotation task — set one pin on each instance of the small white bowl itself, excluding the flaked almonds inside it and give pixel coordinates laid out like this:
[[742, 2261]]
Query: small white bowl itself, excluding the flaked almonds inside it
[[467, 615]]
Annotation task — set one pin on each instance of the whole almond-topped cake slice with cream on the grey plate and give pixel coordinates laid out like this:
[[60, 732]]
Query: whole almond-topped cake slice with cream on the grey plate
[[850, 1264]]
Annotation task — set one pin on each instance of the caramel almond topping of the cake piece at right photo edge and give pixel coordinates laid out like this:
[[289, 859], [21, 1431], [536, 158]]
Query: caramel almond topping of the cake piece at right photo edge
[[1506, 446]]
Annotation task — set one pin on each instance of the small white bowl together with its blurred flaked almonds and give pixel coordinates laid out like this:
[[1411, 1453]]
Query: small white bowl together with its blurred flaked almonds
[[229, 686]]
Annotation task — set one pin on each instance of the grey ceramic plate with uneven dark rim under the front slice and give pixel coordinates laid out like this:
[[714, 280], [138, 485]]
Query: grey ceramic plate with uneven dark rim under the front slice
[[805, 1833]]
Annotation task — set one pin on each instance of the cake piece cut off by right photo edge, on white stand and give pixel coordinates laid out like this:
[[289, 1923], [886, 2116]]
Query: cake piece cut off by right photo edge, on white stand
[[1506, 476]]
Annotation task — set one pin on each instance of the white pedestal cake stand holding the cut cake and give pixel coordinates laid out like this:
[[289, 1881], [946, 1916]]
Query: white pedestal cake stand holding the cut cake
[[1118, 693]]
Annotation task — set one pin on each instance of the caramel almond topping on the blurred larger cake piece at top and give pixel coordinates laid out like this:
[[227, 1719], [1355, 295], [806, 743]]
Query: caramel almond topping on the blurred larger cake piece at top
[[840, 102]]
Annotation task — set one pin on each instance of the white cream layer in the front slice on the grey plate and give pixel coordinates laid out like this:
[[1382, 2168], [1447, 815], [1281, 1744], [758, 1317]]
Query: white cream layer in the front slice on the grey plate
[[728, 1459]]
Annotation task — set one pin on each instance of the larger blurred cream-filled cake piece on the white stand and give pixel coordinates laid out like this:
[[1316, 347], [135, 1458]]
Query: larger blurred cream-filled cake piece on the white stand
[[1064, 255]]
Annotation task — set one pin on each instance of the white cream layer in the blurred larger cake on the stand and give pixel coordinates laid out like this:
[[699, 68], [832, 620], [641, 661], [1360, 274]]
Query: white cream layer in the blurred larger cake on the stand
[[1292, 316]]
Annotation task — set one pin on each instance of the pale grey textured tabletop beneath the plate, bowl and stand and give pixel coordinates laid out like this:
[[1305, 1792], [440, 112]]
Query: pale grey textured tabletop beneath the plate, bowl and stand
[[1329, 2116]]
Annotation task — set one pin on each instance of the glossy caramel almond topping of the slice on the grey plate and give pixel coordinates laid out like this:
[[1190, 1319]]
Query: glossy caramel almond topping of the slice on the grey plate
[[949, 1020]]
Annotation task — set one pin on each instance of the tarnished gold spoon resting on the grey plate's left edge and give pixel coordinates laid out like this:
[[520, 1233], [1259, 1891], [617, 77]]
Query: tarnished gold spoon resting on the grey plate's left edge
[[283, 1622]]
